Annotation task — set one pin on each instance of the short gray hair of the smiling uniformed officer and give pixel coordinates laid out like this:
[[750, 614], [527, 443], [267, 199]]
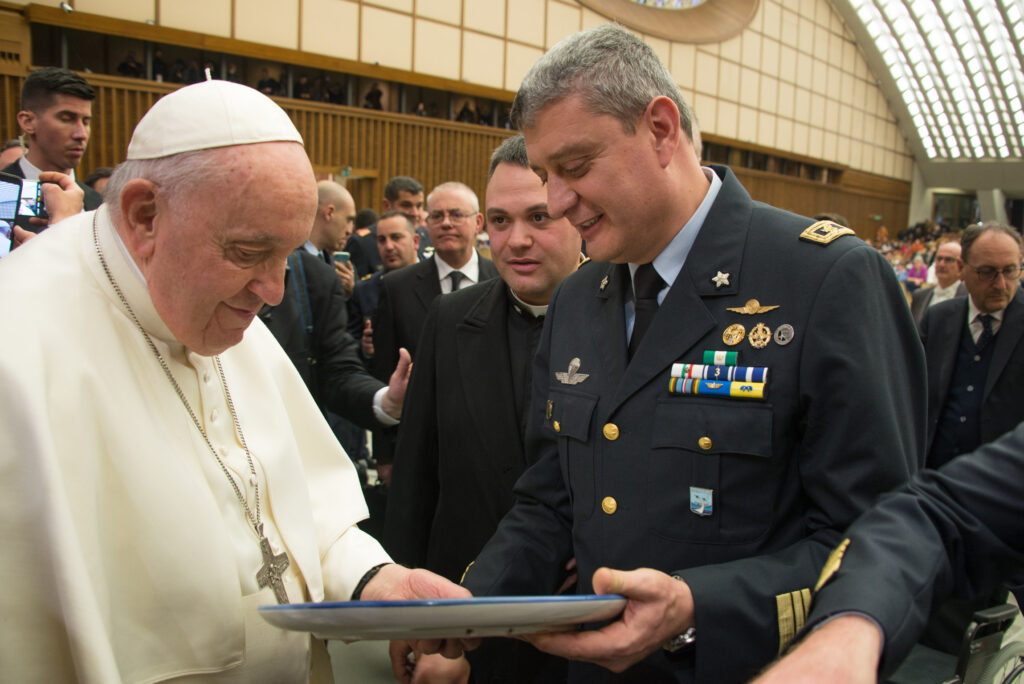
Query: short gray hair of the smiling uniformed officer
[[616, 73]]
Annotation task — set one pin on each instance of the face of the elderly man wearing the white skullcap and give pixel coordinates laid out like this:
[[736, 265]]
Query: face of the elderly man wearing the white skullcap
[[221, 254]]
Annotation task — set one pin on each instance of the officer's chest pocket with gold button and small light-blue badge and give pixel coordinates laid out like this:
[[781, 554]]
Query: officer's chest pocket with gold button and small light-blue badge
[[711, 478]]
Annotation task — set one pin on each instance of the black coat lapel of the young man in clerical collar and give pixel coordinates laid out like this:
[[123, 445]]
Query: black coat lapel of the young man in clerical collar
[[482, 343]]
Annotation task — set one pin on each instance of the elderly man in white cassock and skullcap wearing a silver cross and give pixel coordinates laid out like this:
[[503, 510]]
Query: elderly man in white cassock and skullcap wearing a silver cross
[[163, 469]]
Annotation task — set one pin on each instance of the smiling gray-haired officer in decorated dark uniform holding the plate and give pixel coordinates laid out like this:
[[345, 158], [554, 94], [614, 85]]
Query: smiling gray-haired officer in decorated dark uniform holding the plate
[[731, 484]]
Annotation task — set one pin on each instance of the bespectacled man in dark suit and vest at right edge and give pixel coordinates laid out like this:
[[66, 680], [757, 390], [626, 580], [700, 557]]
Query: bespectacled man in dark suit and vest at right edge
[[974, 349]]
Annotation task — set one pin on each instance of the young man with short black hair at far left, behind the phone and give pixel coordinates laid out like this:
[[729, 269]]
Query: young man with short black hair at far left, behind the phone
[[56, 115]]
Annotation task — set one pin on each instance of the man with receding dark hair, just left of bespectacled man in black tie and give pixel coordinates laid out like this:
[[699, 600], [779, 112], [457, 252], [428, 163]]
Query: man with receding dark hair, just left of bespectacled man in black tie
[[398, 243]]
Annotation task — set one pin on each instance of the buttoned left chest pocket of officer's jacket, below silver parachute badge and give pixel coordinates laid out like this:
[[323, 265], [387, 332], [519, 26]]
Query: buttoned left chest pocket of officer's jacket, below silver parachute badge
[[572, 414]]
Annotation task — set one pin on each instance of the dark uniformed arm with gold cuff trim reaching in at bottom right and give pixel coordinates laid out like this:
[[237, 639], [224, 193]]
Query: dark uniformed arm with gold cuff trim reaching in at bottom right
[[952, 531]]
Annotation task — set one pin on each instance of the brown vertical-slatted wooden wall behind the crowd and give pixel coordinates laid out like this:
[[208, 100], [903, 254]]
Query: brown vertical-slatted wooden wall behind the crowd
[[377, 146]]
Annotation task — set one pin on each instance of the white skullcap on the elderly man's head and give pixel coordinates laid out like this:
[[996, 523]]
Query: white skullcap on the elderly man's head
[[206, 115]]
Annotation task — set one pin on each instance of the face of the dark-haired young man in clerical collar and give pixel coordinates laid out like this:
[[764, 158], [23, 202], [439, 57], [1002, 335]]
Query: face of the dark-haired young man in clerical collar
[[533, 252]]
